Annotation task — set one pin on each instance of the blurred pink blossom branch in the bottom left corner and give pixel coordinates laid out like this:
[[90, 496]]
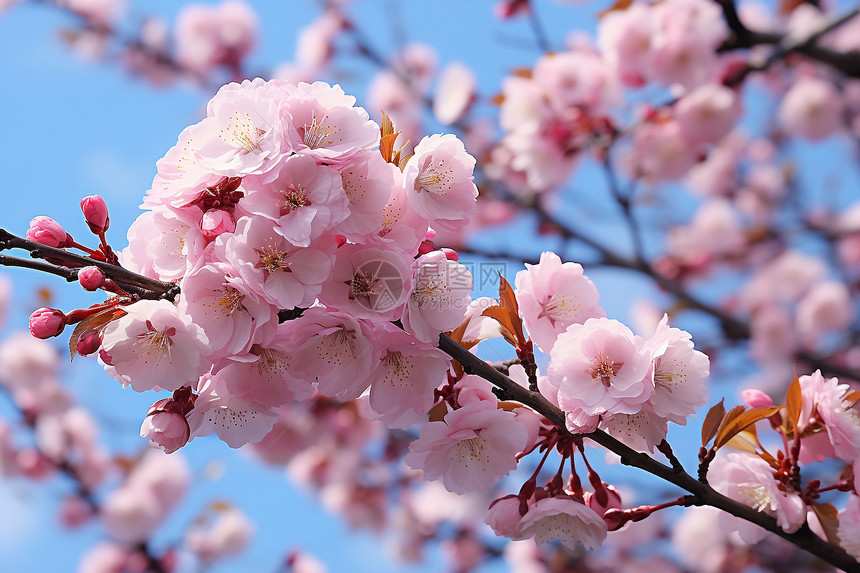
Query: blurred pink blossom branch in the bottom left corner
[[66, 442]]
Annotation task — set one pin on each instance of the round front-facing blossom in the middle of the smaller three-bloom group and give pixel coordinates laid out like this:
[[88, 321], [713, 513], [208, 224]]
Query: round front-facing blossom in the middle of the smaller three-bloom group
[[600, 367]]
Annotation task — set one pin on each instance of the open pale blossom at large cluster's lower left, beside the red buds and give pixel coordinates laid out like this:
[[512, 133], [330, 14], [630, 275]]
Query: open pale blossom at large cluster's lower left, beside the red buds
[[154, 346]]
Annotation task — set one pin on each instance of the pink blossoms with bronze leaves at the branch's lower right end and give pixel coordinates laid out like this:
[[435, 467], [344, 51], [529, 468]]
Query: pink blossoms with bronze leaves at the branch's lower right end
[[819, 422]]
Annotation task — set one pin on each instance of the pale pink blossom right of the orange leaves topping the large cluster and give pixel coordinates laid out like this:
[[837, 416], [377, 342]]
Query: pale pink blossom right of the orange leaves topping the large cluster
[[438, 181]]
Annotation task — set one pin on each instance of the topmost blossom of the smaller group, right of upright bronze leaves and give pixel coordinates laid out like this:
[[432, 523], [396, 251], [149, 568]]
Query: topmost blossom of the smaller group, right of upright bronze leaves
[[553, 295]]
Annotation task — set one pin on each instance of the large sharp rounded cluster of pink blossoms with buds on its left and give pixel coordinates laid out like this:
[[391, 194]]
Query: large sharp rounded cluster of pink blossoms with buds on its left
[[296, 244]]
